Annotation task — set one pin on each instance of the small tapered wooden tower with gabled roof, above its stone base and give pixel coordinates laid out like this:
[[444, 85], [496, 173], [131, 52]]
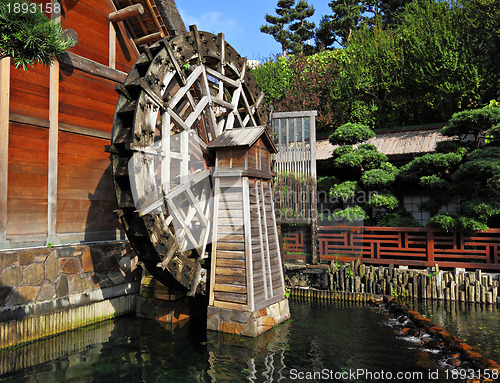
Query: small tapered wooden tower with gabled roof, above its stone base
[[247, 274]]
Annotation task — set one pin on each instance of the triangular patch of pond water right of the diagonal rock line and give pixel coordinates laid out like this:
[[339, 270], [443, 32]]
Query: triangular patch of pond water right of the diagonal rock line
[[476, 324]]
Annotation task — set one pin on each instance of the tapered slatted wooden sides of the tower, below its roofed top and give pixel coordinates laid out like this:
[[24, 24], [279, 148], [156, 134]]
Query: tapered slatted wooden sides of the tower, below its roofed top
[[247, 272]]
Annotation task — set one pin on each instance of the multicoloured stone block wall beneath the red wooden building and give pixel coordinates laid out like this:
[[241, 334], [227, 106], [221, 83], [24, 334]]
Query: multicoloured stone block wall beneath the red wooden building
[[36, 282]]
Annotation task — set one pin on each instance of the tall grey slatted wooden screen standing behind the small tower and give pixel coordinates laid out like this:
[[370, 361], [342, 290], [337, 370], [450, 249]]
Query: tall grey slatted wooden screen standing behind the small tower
[[295, 192]]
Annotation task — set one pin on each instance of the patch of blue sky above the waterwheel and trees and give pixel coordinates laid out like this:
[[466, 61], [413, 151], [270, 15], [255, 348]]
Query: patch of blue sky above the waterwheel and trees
[[240, 20]]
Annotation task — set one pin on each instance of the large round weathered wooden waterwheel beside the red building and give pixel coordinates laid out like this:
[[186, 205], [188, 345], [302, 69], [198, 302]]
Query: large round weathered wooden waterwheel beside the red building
[[180, 95]]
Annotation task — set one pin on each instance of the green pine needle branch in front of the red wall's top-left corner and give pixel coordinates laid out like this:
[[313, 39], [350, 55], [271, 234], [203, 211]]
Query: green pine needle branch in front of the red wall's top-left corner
[[29, 38]]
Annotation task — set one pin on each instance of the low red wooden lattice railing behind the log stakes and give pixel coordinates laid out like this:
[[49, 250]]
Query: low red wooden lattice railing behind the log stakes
[[405, 246]]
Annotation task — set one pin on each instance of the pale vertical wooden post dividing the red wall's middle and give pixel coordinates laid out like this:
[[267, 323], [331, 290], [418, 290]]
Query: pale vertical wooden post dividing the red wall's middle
[[53, 142]]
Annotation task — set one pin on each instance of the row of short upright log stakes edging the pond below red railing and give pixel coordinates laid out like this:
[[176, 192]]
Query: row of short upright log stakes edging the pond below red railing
[[355, 277]]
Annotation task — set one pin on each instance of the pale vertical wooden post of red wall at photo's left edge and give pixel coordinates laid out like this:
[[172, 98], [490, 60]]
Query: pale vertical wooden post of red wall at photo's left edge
[[4, 142]]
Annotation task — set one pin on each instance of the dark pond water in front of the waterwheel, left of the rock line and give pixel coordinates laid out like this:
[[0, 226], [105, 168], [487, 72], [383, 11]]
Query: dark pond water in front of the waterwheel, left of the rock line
[[336, 337]]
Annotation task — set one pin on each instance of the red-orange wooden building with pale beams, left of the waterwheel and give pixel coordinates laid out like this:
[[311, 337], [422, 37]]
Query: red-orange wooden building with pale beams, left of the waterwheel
[[55, 178]]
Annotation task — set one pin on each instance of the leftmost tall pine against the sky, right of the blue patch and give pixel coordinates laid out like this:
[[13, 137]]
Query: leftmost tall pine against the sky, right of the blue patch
[[290, 28]]
